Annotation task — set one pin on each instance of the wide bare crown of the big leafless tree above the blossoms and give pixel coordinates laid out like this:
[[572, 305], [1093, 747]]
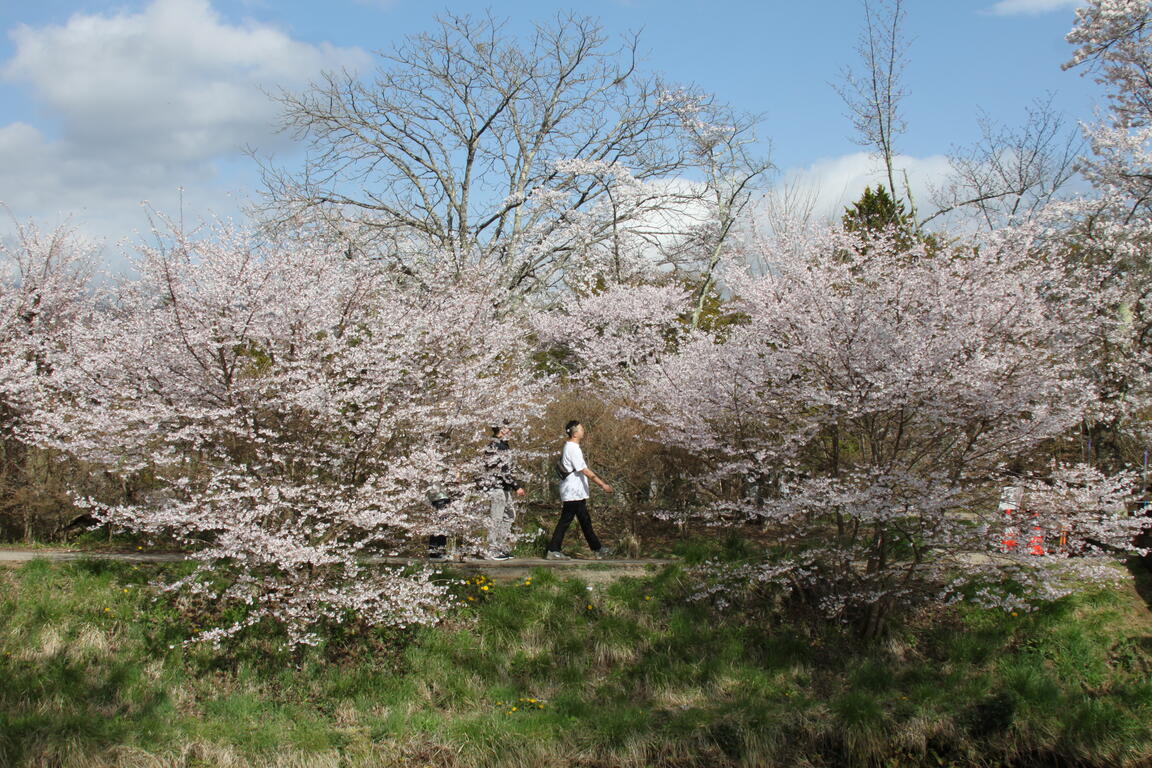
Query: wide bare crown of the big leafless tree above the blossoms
[[491, 153]]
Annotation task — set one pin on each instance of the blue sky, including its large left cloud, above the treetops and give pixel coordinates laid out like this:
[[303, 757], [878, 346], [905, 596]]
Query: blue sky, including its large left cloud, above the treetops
[[105, 104]]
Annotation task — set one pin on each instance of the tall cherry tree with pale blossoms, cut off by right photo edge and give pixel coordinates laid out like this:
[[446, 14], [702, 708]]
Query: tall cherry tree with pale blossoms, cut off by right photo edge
[[1113, 42]]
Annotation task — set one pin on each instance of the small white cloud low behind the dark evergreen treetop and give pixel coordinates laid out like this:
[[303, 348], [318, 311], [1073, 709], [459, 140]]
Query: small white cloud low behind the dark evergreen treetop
[[824, 189]]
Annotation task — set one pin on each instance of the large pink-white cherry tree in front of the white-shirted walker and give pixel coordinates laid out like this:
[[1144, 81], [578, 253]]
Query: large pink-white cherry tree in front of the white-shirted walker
[[868, 410]]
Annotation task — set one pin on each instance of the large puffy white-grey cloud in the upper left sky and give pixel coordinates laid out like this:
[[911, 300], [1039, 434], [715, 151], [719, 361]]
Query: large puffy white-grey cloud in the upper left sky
[[141, 104]]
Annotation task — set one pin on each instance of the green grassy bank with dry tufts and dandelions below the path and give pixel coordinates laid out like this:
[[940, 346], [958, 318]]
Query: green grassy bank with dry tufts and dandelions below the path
[[551, 673]]
